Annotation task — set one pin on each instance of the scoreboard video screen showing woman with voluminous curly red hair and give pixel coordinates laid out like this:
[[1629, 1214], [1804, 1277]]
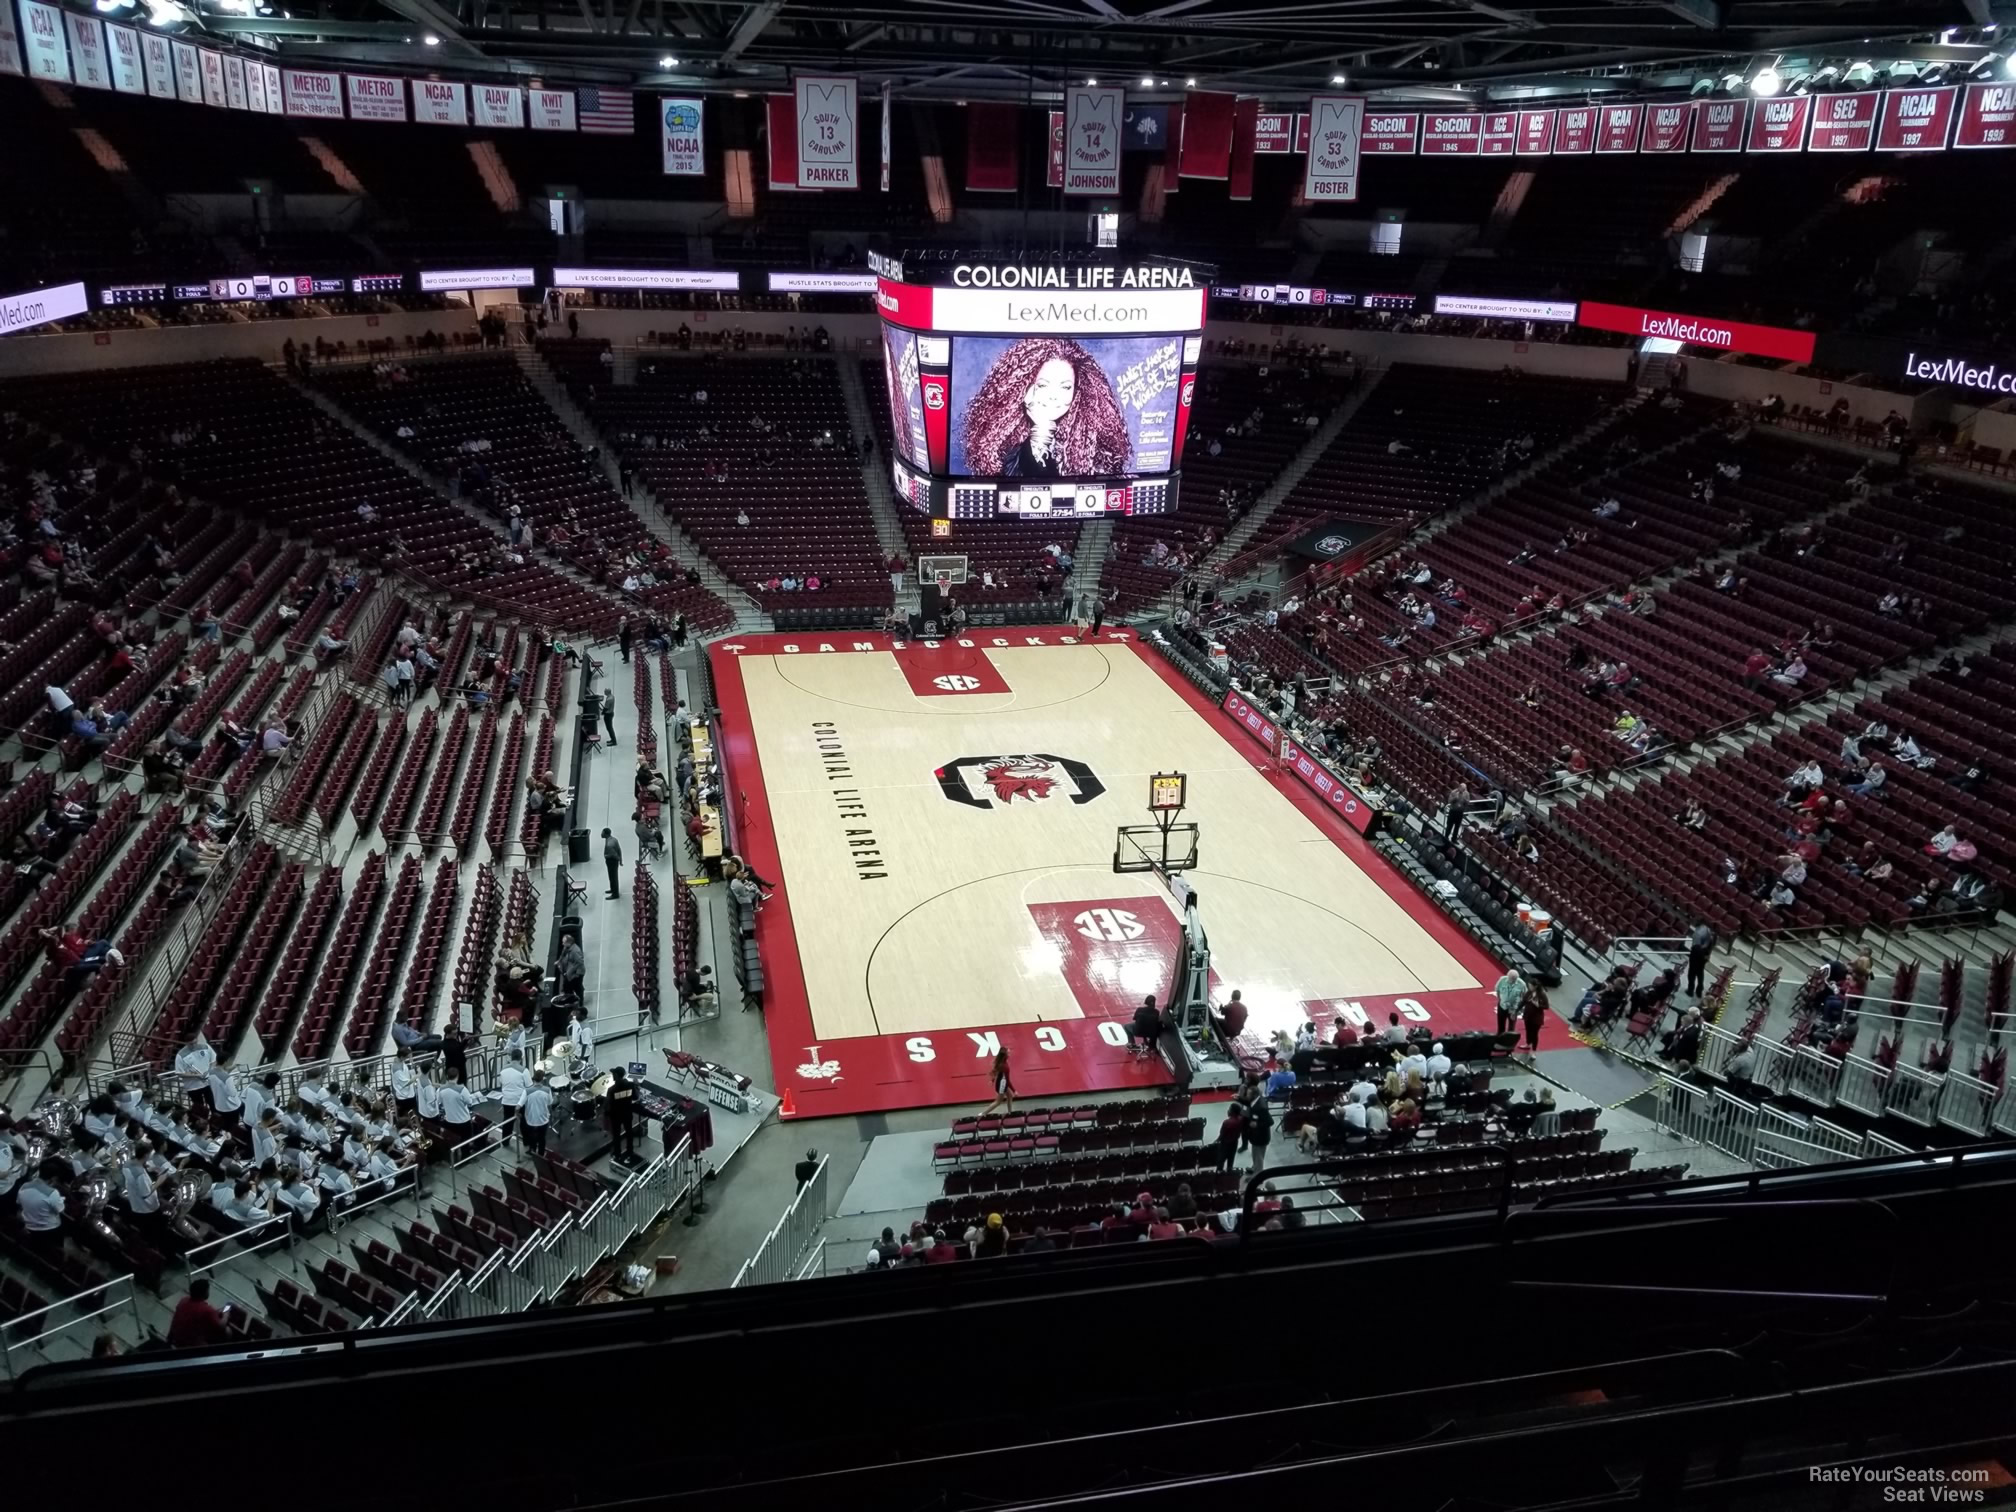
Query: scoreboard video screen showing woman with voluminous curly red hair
[[1063, 408]]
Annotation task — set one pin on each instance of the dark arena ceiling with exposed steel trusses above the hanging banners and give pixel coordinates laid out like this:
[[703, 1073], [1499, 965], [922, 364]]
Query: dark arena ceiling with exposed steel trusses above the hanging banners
[[1025, 49]]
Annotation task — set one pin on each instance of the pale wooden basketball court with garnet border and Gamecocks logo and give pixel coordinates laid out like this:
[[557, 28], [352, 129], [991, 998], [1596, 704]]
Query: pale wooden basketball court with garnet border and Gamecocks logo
[[942, 822]]
